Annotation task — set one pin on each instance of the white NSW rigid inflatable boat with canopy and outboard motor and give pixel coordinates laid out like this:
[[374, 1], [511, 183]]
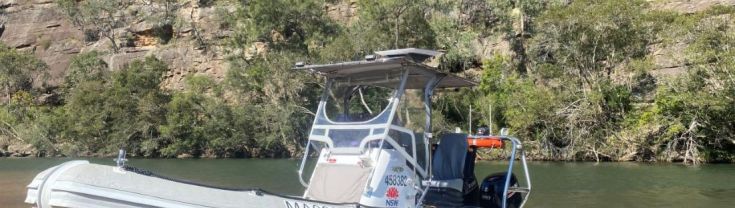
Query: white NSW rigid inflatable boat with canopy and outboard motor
[[364, 149]]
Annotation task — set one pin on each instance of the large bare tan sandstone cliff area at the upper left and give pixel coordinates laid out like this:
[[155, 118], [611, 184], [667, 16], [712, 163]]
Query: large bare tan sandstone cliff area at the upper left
[[41, 28]]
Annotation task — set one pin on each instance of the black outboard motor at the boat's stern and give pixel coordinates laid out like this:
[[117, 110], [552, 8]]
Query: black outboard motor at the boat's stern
[[491, 191]]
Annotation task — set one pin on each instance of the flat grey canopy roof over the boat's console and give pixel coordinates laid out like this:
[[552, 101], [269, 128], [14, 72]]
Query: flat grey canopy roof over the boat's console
[[383, 68]]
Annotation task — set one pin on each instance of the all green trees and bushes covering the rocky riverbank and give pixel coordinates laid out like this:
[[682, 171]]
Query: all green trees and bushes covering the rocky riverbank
[[578, 81]]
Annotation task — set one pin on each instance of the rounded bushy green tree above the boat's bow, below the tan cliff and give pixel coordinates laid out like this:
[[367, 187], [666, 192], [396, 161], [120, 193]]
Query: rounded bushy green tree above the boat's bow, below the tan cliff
[[120, 110]]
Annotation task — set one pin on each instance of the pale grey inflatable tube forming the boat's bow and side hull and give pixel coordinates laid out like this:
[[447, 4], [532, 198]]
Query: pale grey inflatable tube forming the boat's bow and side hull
[[81, 184]]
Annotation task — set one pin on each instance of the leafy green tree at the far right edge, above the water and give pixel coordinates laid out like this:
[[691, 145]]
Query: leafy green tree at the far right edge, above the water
[[699, 104]]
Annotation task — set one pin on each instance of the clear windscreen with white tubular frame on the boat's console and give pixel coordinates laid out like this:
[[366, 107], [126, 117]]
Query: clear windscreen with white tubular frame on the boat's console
[[357, 113]]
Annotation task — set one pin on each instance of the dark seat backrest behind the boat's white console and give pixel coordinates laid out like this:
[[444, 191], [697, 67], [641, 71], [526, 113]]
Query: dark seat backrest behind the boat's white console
[[449, 157]]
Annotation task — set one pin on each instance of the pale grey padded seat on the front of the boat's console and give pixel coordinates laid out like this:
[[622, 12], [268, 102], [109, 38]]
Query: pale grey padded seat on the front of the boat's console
[[338, 183]]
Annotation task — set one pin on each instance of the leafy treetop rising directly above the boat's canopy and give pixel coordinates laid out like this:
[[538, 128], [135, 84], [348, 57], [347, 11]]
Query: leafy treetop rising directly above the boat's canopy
[[381, 25]]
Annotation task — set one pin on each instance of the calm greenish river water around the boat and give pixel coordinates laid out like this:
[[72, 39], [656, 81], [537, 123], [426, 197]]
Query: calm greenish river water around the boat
[[554, 184]]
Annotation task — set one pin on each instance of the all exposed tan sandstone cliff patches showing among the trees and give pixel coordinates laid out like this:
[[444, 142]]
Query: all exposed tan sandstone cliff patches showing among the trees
[[39, 26]]
